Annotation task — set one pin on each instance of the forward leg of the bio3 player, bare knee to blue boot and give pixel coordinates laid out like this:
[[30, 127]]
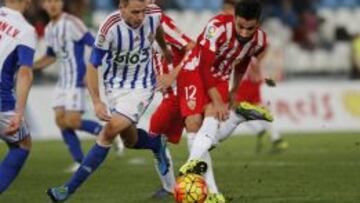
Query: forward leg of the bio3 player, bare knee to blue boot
[[92, 161]]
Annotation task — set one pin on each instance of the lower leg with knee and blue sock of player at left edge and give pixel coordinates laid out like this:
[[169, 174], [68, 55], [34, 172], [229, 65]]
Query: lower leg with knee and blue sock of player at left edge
[[13, 162]]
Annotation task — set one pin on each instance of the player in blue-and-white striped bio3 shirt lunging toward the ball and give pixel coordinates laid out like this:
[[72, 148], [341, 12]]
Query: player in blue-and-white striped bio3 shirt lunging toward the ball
[[125, 40]]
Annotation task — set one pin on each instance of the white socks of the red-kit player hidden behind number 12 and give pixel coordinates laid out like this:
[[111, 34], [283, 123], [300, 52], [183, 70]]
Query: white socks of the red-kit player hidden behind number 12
[[209, 175]]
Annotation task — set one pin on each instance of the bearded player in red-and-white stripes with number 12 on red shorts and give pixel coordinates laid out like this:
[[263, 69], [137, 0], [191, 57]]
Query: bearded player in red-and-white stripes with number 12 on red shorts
[[227, 43]]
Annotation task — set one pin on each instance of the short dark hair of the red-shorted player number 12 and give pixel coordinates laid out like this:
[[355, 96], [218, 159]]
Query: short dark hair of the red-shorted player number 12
[[248, 9]]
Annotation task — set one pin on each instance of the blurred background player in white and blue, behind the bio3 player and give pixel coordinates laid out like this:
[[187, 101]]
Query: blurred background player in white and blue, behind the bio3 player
[[66, 37]]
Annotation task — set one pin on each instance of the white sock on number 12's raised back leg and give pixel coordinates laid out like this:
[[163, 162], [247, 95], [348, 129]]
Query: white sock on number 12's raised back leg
[[227, 127]]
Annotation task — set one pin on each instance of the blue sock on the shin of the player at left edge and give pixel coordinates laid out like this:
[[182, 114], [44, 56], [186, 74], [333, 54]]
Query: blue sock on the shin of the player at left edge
[[11, 166]]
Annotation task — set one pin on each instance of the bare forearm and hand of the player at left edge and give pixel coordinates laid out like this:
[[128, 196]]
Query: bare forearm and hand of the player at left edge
[[23, 85]]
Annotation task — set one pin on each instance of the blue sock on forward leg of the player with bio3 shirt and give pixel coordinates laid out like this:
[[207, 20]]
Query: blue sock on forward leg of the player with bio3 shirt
[[91, 162]]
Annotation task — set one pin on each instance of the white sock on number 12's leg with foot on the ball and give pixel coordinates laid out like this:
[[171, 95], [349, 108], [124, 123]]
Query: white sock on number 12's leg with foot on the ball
[[205, 138]]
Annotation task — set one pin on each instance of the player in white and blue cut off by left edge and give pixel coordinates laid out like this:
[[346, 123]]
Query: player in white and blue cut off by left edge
[[17, 45]]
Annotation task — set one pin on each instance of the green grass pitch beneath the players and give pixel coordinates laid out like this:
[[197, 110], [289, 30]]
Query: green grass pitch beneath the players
[[316, 168]]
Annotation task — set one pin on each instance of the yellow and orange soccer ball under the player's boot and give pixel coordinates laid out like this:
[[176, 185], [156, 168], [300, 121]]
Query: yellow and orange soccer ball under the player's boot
[[190, 188]]
